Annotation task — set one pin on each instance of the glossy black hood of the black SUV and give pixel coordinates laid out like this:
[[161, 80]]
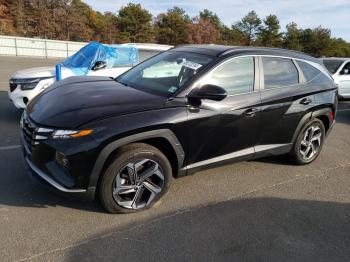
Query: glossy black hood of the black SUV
[[78, 100]]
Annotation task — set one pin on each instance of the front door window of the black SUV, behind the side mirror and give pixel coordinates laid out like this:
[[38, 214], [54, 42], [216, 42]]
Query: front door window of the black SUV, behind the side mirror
[[236, 76]]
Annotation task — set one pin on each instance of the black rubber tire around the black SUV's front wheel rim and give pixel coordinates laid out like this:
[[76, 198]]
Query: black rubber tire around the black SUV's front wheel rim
[[130, 154]]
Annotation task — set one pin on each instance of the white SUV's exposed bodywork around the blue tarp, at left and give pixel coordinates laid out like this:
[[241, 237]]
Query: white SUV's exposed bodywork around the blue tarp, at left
[[26, 84]]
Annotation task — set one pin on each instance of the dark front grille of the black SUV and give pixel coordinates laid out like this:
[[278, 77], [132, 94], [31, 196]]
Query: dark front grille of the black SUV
[[32, 133]]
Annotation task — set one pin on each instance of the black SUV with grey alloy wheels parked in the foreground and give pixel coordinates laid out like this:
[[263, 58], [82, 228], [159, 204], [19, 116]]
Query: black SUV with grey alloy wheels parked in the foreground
[[183, 110]]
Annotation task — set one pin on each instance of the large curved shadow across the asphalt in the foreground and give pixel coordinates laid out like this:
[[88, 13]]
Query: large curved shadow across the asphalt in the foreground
[[257, 229]]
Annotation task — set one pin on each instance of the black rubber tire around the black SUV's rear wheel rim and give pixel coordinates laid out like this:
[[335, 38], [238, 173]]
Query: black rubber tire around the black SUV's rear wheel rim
[[295, 156]]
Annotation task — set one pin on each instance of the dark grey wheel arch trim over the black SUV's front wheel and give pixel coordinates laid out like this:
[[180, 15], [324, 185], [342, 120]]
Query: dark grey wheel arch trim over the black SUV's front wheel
[[154, 138]]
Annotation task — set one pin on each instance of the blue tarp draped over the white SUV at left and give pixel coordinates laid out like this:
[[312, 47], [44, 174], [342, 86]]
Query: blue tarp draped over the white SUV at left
[[82, 61]]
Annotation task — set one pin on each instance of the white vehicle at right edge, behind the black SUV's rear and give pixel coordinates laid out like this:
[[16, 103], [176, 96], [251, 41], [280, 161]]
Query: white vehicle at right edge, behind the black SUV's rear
[[340, 71]]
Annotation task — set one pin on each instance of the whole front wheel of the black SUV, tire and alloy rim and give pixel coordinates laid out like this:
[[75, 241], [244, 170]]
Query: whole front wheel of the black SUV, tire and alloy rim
[[135, 180]]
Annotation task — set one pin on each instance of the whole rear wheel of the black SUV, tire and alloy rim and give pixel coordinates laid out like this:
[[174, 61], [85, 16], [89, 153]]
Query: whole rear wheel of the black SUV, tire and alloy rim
[[309, 142]]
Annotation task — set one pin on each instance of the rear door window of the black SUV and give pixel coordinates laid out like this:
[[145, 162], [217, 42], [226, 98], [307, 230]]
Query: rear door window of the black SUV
[[279, 72]]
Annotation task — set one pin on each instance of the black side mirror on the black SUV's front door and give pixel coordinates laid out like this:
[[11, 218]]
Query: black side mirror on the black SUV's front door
[[211, 92]]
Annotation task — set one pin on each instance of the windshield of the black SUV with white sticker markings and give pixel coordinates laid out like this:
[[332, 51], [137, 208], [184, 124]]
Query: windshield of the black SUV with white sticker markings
[[166, 73]]
